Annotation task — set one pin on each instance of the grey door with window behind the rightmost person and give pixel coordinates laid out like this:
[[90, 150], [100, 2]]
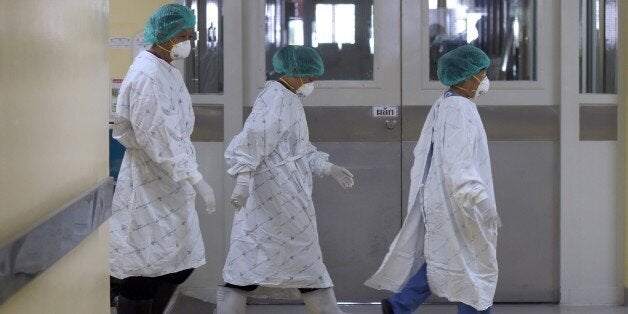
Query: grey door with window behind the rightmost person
[[519, 114]]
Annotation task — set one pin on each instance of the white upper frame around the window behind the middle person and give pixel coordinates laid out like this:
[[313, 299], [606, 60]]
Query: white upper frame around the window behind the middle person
[[384, 89]]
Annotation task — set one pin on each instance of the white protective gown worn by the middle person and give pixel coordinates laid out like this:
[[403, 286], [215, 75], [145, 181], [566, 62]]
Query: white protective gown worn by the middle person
[[274, 242]]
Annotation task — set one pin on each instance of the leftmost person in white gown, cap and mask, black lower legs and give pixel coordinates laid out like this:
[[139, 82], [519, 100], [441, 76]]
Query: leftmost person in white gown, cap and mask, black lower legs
[[155, 238]]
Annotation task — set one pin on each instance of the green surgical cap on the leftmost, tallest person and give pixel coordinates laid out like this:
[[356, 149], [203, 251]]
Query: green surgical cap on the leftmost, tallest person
[[167, 22]]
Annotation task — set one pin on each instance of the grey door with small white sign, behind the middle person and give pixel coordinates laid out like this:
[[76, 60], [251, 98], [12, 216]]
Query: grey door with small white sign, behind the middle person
[[353, 115]]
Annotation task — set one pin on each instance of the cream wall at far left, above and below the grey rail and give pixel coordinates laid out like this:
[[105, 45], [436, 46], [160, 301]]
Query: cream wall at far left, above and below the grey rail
[[53, 137]]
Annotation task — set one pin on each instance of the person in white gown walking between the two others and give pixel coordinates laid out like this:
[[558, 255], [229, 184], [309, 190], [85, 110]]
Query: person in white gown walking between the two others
[[274, 241]]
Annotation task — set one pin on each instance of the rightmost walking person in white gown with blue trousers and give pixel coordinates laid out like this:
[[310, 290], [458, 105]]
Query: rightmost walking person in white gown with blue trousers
[[447, 244]]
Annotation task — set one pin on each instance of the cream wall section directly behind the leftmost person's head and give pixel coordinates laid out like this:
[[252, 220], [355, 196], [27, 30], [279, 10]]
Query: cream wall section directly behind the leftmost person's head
[[126, 19]]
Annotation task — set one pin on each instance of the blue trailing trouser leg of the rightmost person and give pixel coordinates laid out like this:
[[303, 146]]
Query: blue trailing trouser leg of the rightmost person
[[413, 293]]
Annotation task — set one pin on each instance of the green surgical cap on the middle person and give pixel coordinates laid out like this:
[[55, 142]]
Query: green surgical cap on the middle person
[[298, 61]]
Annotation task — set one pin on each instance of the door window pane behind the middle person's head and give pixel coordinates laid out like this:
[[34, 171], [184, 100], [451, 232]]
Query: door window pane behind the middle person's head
[[341, 31]]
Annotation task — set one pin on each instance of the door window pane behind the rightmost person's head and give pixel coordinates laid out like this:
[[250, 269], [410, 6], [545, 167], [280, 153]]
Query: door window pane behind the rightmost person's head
[[505, 30]]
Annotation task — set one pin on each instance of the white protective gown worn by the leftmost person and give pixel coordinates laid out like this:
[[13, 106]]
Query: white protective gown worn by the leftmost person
[[154, 227]]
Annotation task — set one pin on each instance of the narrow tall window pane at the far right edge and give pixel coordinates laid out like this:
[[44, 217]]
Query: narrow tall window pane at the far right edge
[[598, 46]]
